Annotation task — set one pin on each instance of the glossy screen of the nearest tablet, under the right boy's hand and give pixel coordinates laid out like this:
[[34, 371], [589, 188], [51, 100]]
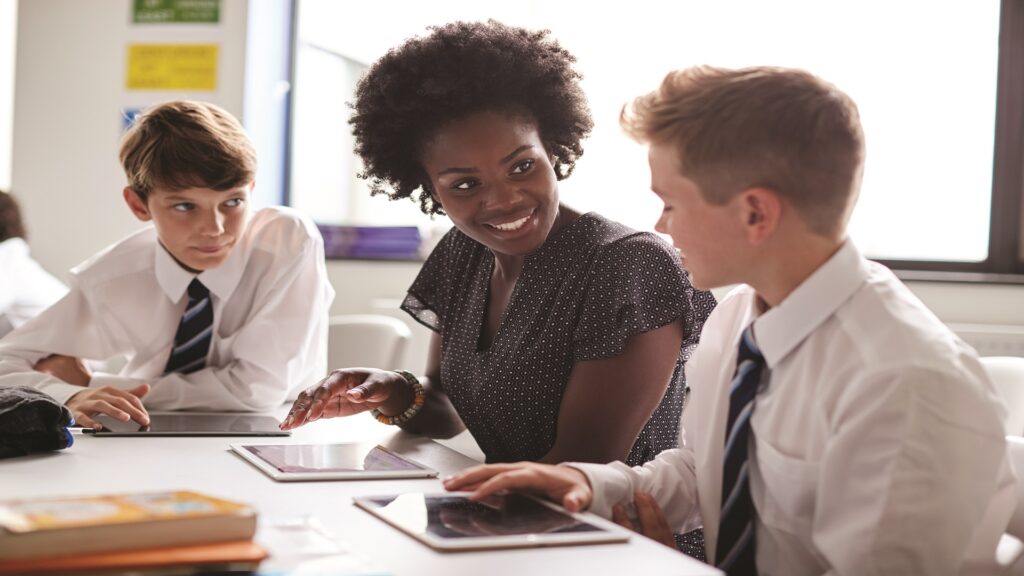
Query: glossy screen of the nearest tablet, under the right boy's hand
[[455, 517]]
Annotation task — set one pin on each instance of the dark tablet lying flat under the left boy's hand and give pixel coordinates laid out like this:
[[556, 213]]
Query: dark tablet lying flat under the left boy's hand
[[191, 425]]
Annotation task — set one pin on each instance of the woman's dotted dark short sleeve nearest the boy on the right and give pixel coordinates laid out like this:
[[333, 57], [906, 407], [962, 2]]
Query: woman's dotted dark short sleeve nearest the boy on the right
[[637, 284]]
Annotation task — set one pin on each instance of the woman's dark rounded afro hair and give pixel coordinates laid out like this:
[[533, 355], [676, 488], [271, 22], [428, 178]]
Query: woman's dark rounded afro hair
[[461, 69]]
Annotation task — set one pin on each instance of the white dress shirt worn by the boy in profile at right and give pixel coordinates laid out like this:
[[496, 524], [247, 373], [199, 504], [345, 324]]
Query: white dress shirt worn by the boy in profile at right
[[878, 441]]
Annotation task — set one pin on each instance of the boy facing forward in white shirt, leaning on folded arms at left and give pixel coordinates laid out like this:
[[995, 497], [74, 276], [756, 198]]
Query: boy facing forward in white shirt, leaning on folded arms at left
[[214, 309]]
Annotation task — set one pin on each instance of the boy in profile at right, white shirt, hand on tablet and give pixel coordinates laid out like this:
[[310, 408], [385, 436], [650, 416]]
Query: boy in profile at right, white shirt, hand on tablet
[[858, 434]]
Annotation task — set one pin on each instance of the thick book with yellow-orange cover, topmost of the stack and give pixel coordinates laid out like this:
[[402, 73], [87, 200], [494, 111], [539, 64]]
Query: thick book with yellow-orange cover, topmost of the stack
[[55, 527]]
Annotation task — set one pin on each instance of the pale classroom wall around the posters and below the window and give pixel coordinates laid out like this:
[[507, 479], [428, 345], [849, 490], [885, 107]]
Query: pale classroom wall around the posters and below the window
[[70, 90]]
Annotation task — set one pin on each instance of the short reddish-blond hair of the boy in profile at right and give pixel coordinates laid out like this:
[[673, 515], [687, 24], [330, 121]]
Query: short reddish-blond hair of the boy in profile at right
[[783, 130]]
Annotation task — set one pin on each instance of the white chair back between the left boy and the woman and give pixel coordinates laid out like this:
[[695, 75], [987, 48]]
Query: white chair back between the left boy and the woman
[[368, 341]]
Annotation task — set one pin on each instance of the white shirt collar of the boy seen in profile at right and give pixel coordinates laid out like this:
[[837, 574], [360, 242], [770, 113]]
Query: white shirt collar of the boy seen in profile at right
[[783, 328]]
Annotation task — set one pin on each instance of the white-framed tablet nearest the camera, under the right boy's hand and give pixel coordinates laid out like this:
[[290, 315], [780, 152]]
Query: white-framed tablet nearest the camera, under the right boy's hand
[[452, 522]]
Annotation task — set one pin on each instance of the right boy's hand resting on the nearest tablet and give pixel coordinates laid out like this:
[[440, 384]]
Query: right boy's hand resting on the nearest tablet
[[565, 485]]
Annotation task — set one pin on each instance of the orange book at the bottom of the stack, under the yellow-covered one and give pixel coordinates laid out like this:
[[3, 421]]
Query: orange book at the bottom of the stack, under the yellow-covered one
[[243, 556]]
